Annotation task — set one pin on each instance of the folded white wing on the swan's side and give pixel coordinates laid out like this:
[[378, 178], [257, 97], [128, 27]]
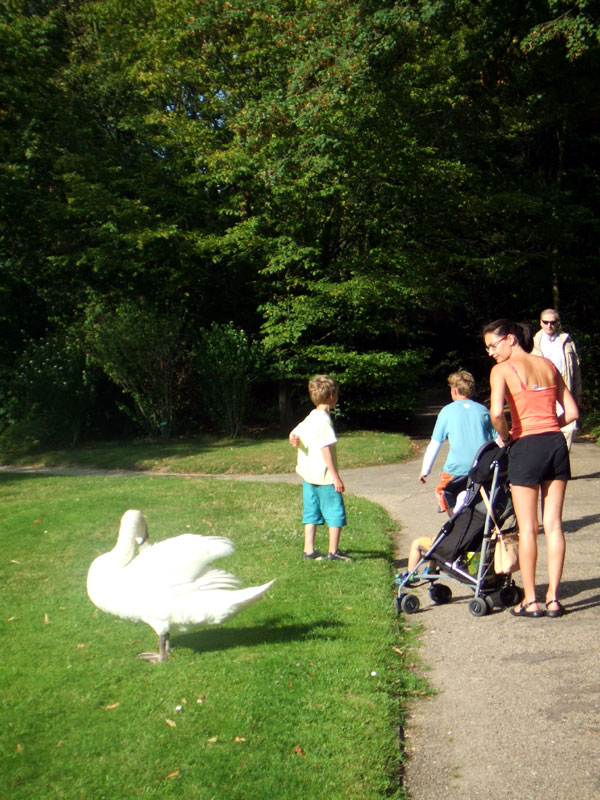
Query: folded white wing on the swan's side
[[180, 560]]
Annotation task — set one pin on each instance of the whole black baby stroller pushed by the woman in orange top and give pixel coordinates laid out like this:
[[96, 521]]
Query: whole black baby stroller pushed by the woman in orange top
[[462, 549]]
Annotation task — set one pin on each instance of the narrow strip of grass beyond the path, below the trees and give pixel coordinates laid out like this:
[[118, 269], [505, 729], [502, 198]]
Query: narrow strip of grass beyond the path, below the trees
[[210, 455]]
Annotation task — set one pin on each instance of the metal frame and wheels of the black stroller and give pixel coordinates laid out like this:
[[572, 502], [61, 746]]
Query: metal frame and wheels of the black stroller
[[490, 589]]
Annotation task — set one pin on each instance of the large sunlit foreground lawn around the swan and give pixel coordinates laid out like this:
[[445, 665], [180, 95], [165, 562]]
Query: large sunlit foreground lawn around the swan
[[299, 696]]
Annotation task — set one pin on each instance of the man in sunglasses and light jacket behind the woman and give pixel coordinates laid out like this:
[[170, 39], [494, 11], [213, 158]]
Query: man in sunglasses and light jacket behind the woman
[[560, 349]]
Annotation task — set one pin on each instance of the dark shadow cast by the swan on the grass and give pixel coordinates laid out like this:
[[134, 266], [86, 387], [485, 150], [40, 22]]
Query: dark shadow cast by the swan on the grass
[[227, 638]]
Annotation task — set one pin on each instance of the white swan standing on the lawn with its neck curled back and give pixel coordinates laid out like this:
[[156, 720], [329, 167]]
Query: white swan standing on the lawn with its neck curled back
[[168, 585]]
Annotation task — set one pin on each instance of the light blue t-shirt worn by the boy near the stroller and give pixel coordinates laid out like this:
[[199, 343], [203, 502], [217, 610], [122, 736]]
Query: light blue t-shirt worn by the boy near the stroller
[[467, 425]]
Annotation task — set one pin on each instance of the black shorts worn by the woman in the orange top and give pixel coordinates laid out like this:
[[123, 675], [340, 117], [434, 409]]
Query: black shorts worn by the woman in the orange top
[[537, 458]]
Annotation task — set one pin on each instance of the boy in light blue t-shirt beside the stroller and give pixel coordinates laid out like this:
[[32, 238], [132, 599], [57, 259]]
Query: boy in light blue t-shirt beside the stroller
[[467, 425]]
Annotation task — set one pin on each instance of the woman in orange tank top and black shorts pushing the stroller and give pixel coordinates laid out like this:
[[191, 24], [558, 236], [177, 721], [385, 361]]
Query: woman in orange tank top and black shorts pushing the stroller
[[538, 455]]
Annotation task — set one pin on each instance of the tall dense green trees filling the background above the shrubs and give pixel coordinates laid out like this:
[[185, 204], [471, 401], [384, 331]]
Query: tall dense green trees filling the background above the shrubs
[[357, 185]]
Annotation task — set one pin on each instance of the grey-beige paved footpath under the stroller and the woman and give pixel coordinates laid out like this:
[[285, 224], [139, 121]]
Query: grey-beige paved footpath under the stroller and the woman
[[516, 713]]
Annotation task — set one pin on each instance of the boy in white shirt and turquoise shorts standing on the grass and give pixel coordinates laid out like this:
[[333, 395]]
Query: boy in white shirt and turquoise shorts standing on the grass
[[322, 485]]
